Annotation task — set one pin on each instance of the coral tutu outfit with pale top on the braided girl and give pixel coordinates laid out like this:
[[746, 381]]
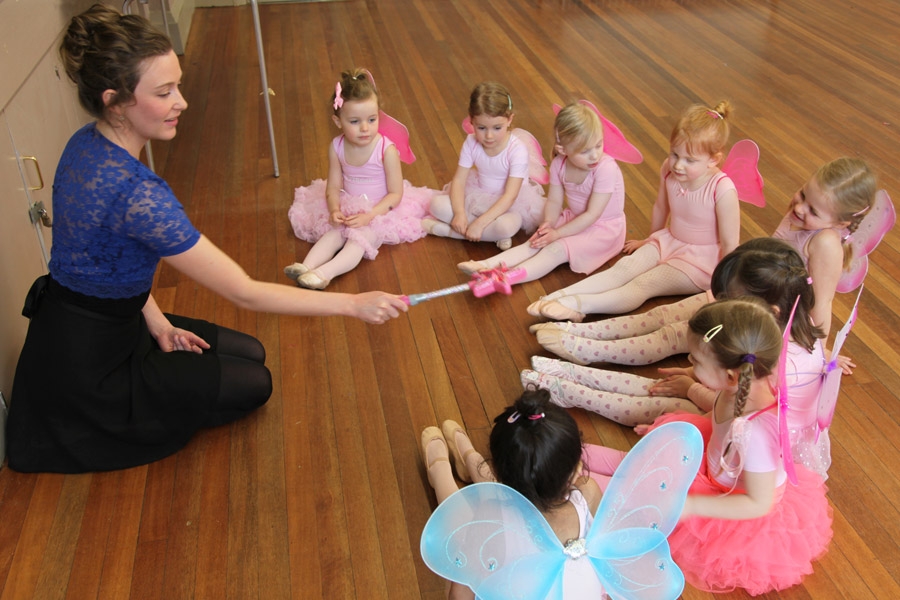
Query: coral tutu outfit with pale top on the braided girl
[[772, 552]]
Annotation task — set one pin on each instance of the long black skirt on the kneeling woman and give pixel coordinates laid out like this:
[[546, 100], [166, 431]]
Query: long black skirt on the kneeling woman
[[94, 392]]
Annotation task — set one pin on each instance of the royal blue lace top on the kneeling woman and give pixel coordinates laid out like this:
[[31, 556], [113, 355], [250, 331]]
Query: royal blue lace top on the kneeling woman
[[113, 219]]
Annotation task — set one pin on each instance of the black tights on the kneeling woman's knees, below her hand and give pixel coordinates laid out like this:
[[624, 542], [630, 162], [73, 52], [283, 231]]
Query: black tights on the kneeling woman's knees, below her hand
[[245, 383]]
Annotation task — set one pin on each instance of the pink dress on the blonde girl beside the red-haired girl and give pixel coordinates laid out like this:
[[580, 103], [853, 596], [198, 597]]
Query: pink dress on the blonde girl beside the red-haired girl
[[605, 237]]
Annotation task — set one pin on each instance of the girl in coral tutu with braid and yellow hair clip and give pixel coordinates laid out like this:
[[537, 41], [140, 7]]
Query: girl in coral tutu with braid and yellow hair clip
[[743, 525]]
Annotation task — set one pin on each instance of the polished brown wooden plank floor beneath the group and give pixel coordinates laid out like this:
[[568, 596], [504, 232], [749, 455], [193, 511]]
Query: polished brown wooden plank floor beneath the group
[[322, 493]]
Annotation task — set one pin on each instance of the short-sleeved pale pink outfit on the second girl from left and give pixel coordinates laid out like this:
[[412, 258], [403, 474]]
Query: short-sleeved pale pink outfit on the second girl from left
[[487, 180]]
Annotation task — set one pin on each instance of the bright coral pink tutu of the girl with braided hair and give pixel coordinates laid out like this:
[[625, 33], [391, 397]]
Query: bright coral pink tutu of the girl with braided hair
[[769, 553]]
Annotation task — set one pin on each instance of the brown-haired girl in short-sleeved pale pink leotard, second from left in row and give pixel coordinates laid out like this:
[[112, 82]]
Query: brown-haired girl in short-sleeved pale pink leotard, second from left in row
[[491, 196]]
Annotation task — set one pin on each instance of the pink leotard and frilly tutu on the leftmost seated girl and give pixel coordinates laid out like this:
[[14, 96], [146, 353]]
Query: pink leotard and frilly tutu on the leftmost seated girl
[[364, 187]]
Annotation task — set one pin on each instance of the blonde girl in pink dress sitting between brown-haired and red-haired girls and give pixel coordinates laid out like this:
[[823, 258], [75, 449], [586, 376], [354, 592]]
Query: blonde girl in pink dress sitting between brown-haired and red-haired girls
[[591, 229]]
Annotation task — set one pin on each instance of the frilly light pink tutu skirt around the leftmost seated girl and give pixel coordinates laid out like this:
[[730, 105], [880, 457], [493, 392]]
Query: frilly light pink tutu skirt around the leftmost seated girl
[[309, 217]]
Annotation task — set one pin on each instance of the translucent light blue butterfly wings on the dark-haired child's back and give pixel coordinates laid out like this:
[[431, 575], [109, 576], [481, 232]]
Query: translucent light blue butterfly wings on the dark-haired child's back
[[490, 538]]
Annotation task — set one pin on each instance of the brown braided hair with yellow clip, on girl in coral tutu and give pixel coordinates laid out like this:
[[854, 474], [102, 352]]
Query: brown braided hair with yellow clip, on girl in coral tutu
[[743, 336]]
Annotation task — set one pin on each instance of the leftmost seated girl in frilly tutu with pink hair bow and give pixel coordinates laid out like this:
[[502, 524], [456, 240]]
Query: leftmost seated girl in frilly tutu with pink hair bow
[[365, 202]]
